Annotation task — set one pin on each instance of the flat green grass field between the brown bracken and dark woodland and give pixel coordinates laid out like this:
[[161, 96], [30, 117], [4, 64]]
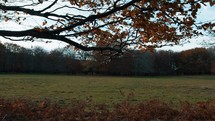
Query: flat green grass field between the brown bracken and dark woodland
[[62, 89]]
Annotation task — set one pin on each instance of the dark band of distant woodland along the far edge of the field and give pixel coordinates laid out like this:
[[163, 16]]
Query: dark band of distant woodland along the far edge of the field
[[16, 59]]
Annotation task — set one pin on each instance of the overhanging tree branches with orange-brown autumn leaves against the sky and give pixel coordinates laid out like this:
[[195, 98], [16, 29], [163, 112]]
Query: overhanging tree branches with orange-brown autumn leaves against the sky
[[105, 25]]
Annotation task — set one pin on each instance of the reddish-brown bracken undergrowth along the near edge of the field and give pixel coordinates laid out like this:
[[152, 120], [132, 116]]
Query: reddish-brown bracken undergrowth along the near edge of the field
[[153, 110]]
